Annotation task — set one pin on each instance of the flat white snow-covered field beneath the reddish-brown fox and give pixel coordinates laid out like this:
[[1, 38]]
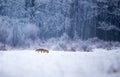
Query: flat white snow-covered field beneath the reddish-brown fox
[[28, 63]]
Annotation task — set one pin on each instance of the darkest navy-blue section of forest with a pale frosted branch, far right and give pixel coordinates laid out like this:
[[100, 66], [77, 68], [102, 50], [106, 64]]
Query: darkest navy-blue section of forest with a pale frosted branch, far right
[[108, 17]]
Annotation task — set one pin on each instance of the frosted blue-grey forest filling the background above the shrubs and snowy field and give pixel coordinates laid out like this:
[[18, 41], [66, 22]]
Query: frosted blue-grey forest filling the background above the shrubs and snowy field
[[35, 23]]
